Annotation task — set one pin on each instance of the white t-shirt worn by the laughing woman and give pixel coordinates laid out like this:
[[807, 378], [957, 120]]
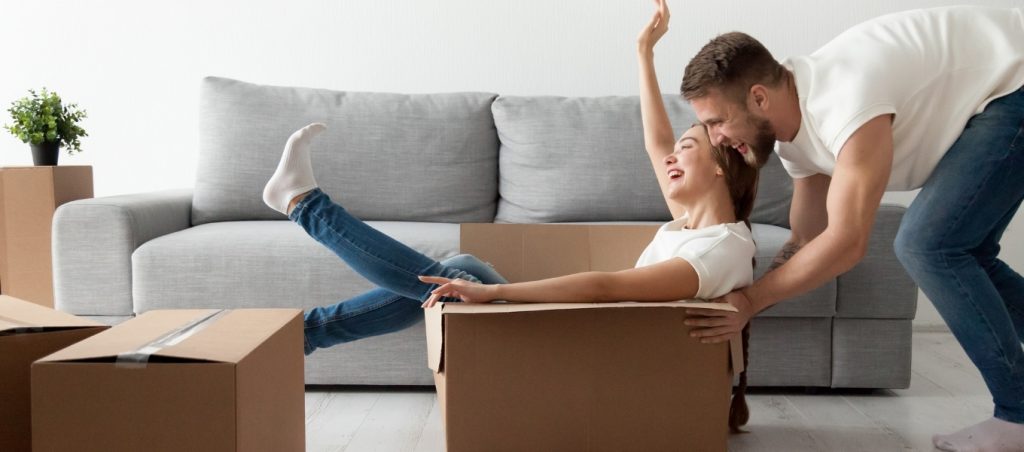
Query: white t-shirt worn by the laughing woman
[[721, 255]]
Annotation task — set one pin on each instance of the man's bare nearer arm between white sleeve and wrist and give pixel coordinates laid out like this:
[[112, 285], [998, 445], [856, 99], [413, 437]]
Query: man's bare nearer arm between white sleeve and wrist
[[854, 197]]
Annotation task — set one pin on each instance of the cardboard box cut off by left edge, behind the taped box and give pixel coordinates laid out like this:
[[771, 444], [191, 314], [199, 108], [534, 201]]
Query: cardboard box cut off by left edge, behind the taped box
[[29, 333]]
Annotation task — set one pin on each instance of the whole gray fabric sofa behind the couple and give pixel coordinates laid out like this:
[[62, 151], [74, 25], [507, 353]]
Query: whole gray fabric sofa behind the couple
[[415, 167]]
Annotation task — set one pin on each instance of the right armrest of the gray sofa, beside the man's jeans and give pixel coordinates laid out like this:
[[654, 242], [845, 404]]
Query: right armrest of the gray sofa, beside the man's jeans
[[879, 287]]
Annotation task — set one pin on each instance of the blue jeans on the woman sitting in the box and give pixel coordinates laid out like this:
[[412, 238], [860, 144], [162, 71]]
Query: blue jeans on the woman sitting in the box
[[394, 267]]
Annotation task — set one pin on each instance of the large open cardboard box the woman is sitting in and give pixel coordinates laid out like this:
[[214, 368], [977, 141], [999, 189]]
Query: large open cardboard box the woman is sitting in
[[575, 377]]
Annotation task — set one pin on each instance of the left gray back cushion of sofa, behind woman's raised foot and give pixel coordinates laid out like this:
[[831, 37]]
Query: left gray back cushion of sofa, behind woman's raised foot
[[392, 157]]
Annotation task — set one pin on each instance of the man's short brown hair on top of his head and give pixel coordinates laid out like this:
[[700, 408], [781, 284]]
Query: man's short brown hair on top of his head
[[731, 63]]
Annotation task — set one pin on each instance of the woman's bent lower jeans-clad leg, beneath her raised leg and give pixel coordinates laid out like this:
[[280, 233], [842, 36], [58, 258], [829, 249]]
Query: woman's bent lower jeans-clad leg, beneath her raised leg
[[379, 311]]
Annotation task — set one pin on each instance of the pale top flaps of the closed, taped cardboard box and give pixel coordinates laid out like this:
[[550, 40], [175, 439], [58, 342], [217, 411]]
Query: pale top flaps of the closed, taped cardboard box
[[225, 337]]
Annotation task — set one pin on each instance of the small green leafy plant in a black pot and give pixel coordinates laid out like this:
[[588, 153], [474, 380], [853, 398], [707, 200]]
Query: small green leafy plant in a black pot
[[47, 125]]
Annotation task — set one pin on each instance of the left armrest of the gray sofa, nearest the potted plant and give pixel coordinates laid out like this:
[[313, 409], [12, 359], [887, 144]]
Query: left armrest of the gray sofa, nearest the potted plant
[[94, 241]]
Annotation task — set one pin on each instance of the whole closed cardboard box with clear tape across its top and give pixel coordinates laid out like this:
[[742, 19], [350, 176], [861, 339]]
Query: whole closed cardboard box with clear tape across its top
[[177, 381]]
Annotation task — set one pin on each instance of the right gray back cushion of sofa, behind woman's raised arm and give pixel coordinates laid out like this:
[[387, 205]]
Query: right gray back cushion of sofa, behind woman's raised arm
[[583, 159]]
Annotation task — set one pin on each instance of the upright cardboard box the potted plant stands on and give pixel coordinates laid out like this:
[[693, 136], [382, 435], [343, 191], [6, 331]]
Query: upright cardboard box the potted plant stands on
[[29, 196]]
